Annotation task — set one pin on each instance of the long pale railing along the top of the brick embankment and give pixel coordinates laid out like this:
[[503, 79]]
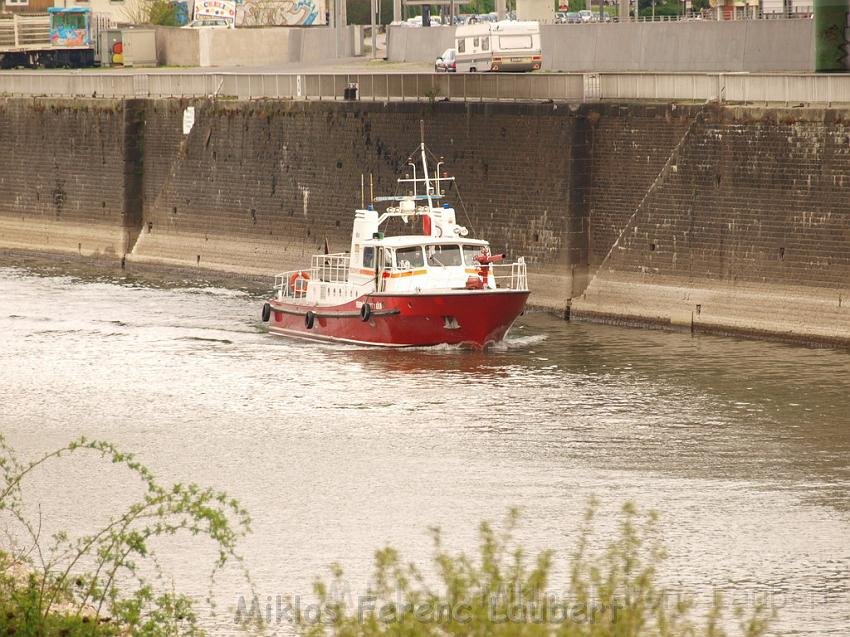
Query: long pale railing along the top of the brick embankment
[[422, 87]]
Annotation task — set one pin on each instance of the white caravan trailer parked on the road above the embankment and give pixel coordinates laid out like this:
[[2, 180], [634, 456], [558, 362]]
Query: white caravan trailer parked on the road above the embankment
[[498, 46]]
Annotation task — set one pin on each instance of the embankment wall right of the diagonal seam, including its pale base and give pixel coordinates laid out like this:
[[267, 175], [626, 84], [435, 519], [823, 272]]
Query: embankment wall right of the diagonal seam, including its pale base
[[748, 231]]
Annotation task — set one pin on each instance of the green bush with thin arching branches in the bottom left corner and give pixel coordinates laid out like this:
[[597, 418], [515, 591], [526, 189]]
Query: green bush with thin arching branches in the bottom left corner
[[94, 585]]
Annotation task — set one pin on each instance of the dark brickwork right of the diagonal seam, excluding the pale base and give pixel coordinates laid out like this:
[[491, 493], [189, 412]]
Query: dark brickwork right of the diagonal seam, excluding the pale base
[[755, 196]]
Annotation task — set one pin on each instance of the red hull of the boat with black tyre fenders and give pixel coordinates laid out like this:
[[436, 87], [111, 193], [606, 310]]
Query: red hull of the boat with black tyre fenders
[[471, 319]]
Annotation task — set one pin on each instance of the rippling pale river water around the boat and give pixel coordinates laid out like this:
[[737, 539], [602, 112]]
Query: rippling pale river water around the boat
[[742, 446]]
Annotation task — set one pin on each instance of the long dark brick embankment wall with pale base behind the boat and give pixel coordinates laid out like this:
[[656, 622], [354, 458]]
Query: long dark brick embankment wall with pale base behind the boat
[[722, 219]]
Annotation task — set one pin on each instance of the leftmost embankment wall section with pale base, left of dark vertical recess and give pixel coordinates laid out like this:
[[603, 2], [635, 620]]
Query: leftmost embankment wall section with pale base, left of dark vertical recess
[[62, 177]]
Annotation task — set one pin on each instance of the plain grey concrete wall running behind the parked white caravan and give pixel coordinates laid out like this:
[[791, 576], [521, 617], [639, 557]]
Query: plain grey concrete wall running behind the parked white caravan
[[754, 46]]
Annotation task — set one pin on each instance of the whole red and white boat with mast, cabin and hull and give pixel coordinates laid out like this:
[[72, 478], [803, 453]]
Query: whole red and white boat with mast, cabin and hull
[[430, 288]]
